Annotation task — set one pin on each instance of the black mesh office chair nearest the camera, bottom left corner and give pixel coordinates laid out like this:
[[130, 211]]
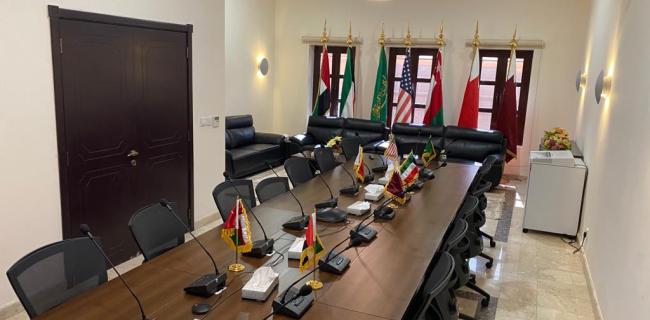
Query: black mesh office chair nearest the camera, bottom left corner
[[55, 273]]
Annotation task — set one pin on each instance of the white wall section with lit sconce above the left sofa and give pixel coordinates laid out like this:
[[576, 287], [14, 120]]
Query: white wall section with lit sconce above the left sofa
[[250, 34]]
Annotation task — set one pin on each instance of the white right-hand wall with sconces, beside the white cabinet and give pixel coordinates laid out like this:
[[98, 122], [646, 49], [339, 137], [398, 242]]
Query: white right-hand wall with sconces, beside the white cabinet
[[614, 136]]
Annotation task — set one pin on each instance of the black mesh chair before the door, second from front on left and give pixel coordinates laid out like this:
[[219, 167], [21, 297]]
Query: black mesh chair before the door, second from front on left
[[155, 230]]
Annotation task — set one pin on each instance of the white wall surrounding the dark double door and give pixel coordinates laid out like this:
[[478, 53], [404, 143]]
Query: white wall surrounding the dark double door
[[29, 191]]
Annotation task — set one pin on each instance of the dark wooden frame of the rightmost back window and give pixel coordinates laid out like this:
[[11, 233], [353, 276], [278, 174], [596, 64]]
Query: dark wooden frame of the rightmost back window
[[502, 56]]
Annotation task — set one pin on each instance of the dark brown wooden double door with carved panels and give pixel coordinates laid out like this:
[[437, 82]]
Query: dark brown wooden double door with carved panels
[[123, 111]]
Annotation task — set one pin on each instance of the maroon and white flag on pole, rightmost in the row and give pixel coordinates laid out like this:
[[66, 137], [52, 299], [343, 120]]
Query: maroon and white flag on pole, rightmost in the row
[[506, 115]]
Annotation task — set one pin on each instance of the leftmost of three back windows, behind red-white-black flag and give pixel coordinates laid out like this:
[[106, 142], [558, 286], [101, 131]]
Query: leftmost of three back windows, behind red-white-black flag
[[338, 58]]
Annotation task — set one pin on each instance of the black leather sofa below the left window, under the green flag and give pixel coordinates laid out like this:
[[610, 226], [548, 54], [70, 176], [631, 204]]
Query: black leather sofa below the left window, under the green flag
[[321, 129]]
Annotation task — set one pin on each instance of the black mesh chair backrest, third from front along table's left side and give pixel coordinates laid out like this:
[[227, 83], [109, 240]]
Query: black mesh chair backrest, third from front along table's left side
[[225, 195]]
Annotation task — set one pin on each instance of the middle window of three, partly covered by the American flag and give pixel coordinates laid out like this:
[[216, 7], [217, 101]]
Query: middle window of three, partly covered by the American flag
[[421, 64]]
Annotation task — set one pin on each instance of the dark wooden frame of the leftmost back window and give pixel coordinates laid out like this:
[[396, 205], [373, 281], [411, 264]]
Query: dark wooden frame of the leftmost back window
[[335, 74]]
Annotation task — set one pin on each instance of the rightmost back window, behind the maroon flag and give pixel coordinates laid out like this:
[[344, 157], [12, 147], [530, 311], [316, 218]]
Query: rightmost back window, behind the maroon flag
[[493, 70]]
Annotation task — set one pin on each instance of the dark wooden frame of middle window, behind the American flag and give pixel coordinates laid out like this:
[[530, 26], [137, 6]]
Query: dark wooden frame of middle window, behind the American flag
[[415, 60]]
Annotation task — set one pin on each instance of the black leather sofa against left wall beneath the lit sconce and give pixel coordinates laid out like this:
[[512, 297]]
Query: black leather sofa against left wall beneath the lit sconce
[[248, 151]]
